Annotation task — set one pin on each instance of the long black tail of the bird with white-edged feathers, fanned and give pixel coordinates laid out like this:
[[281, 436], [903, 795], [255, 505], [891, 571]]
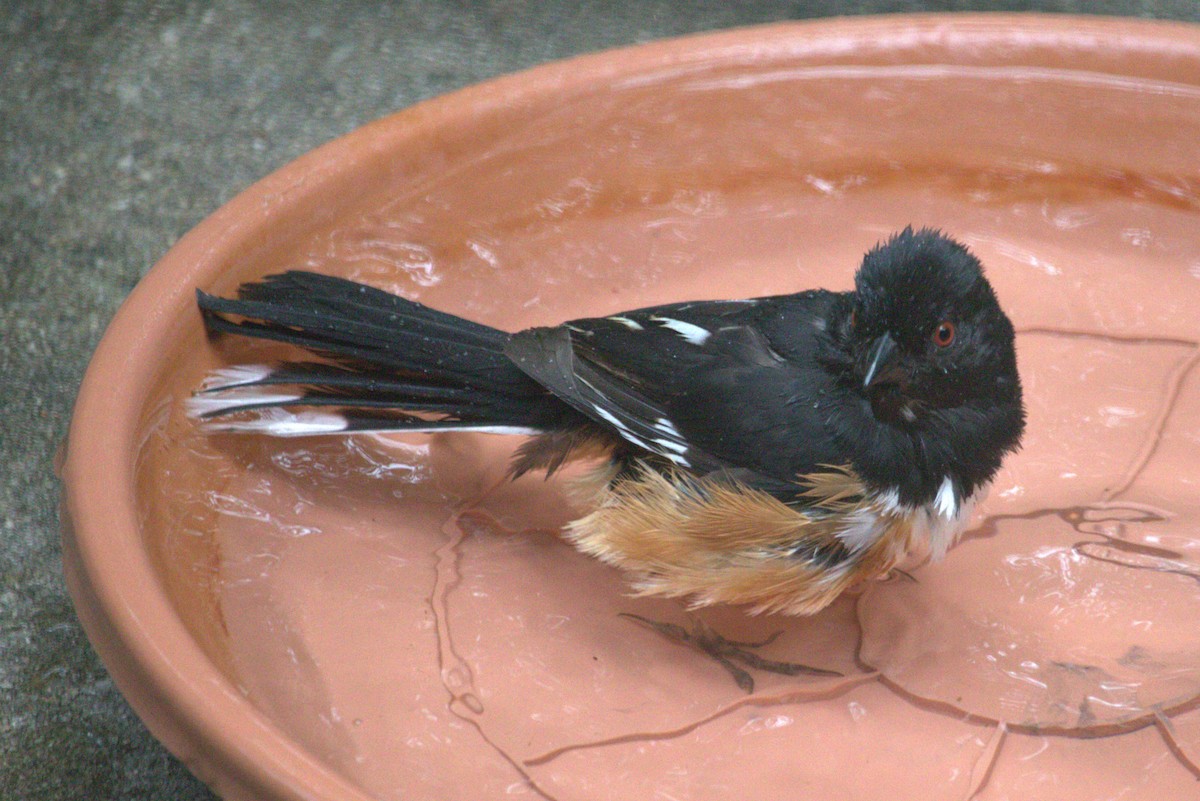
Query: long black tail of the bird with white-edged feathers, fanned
[[392, 365]]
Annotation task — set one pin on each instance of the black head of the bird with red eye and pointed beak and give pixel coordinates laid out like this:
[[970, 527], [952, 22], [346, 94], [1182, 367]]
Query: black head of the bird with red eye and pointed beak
[[933, 353]]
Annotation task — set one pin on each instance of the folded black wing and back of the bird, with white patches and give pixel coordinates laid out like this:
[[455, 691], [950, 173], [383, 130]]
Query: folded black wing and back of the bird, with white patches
[[731, 387]]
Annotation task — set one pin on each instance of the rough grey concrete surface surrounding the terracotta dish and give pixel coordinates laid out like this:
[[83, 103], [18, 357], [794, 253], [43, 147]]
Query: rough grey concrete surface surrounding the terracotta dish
[[122, 127]]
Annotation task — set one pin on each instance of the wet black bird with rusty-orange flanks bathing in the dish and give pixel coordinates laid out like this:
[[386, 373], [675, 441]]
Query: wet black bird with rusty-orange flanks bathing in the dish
[[769, 453]]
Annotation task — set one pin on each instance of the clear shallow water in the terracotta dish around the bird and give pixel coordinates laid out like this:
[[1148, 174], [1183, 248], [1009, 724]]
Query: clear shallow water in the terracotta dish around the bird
[[416, 623]]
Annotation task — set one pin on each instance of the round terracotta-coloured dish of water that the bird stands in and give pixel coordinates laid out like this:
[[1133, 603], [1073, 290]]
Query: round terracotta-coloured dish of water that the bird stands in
[[387, 618]]
